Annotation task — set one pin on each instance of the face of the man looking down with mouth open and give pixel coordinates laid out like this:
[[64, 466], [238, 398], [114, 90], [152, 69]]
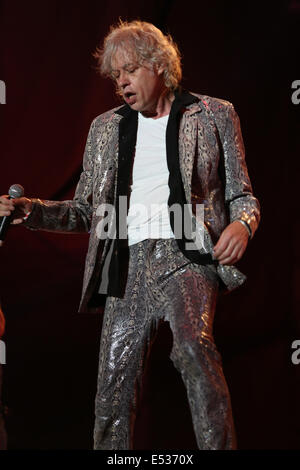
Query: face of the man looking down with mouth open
[[139, 85]]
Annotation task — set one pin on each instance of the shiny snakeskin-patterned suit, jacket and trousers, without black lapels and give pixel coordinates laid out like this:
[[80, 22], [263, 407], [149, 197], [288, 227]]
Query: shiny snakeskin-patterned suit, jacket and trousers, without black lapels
[[176, 290]]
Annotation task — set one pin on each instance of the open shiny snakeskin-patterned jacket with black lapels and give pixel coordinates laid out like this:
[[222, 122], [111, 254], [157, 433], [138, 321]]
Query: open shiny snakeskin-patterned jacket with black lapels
[[207, 128]]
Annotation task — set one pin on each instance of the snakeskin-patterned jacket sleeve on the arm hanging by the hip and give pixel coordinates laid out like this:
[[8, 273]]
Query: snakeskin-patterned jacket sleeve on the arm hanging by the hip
[[238, 190]]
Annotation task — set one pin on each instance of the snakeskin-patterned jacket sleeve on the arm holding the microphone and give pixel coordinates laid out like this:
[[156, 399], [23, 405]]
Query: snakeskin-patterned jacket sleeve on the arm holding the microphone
[[68, 216]]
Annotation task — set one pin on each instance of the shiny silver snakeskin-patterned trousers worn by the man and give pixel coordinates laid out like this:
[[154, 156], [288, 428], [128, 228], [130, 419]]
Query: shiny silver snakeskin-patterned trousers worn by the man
[[162, 284]]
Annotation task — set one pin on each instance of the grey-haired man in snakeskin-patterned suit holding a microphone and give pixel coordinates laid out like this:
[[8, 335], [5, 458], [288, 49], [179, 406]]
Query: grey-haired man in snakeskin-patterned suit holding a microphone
[[161, 152]]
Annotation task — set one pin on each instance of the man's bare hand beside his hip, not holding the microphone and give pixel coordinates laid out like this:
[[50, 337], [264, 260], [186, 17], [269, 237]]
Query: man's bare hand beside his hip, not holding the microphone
[[231, 244]]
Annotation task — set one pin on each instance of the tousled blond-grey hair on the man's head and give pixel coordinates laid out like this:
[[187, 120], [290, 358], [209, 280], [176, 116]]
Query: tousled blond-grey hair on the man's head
[[146, 44]]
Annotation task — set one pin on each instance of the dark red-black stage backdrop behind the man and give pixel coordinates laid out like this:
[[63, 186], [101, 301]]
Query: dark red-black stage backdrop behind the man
[[238, 52]]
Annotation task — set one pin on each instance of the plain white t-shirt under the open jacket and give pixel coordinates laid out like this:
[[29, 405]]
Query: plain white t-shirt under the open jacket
[[148, 215]]
